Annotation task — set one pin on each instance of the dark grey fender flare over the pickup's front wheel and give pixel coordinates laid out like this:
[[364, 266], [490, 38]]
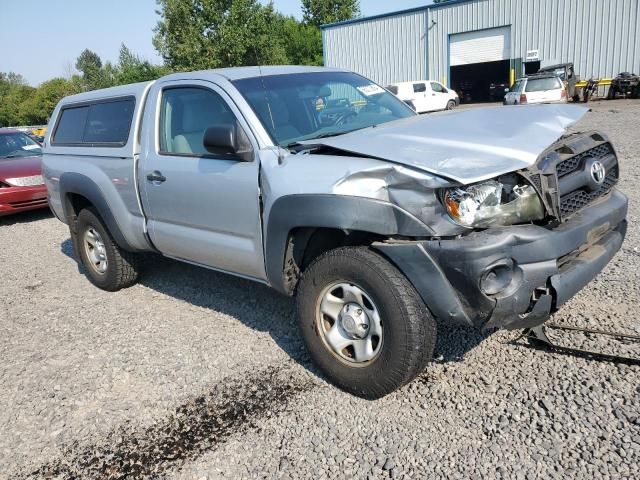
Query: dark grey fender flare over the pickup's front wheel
[[330, 211]]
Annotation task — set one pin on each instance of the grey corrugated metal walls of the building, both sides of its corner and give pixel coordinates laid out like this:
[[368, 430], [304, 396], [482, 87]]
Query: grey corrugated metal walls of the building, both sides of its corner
[[601, 37]]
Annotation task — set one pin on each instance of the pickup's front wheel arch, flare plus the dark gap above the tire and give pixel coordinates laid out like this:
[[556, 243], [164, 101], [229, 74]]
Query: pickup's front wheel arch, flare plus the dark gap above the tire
[[301, 227]]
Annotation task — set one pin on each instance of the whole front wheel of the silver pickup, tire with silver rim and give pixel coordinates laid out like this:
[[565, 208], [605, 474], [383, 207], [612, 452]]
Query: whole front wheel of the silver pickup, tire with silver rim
[[408, 330]]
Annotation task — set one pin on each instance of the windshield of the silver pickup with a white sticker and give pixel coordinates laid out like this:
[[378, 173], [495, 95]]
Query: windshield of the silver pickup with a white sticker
[[305, 106]]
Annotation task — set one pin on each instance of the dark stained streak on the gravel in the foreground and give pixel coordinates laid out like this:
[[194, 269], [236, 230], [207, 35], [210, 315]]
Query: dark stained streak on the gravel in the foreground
[[191, 430]]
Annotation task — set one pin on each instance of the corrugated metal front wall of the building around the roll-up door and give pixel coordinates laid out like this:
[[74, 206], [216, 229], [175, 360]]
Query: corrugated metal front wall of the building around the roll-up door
[[600, 37]]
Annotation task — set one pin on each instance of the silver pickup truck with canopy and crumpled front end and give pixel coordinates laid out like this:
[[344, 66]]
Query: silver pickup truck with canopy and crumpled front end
[[323, 185]]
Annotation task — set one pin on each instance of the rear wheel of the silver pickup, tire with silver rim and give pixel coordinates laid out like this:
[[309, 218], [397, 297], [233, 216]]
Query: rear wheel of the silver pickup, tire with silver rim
[[120, 269]]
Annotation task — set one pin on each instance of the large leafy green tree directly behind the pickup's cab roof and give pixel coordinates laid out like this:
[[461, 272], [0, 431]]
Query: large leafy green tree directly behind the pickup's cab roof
[[201, 34]]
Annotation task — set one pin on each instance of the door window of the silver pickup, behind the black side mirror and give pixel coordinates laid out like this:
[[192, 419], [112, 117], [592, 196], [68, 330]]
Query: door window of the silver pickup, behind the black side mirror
[[186, 112]]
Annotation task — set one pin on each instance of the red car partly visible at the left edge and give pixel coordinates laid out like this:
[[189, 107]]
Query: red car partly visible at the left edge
[[21, 184]]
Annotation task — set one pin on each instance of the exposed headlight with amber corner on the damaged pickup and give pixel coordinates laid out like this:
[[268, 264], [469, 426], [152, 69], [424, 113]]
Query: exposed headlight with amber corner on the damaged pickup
[[494, 203]]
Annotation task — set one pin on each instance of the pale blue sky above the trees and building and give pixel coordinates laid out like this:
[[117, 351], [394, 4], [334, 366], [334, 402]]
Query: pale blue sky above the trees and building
[[40, 39]]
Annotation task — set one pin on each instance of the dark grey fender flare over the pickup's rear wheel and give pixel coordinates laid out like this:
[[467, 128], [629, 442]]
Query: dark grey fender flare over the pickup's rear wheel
[[76, 183]]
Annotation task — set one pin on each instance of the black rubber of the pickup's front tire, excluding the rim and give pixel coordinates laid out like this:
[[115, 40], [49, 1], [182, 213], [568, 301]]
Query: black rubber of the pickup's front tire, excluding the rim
[[391, 368]]
